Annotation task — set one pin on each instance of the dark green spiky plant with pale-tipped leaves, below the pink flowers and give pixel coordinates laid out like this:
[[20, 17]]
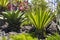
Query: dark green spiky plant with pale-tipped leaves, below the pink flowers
[[14, 19]]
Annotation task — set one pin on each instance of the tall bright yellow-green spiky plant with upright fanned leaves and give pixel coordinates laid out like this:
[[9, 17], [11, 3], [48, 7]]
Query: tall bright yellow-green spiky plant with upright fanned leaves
[[40, 19]]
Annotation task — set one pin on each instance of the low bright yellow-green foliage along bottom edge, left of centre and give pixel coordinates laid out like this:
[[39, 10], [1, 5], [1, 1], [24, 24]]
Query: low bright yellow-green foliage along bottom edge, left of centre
[[23, 36]]
